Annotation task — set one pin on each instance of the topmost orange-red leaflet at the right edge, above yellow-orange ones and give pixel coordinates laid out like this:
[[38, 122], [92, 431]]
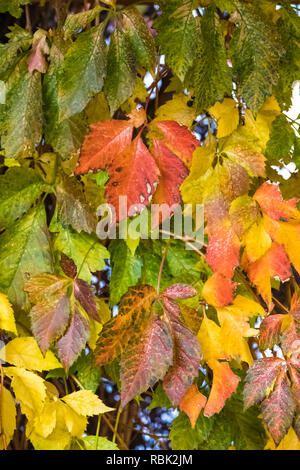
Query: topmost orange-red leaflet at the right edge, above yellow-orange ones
[[270, 200]]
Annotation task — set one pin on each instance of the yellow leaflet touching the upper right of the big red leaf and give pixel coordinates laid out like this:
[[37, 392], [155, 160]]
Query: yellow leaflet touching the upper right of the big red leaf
[[177, 110]]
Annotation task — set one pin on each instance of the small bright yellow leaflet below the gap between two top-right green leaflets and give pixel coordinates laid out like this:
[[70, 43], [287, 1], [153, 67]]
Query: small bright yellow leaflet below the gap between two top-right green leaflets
[[227, 115]]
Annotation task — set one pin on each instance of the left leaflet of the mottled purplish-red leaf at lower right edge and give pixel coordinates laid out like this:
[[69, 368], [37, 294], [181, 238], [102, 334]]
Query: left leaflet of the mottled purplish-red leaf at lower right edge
[[260, 378]]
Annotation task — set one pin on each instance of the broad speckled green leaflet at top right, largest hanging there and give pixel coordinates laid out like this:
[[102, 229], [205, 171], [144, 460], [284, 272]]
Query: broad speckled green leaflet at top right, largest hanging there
[[255, 51]]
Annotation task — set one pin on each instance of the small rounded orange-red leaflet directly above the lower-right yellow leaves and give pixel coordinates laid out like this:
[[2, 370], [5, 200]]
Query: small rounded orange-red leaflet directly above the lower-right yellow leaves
[[218, 290]]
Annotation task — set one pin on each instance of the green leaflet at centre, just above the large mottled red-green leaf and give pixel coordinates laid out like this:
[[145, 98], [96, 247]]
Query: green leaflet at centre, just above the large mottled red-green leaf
[[126, 270]]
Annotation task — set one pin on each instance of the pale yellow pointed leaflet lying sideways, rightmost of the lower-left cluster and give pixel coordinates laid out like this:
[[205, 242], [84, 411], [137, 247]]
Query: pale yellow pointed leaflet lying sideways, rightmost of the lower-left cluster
[[86, 403]]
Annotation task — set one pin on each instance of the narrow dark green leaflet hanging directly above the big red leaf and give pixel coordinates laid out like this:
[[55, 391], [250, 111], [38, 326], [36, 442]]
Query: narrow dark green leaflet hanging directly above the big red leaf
[[121, 73]]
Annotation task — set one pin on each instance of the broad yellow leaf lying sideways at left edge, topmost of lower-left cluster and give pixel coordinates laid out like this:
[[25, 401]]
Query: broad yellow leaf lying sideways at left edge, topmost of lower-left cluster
[[25, 352]]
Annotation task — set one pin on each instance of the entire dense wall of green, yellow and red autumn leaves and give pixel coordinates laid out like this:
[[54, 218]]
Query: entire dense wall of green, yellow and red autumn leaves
[[213, 331]]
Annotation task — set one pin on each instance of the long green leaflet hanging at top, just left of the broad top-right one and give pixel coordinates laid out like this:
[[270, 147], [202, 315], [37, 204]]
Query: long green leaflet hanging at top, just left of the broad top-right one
[[210, 76]]
